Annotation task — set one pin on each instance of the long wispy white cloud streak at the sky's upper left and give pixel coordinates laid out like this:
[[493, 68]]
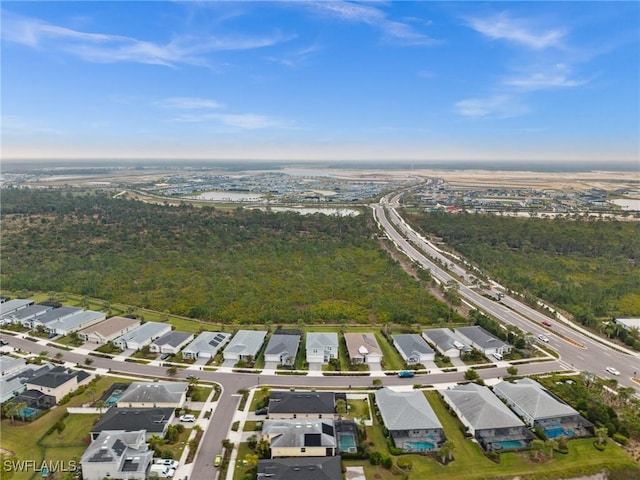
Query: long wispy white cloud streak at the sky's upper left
[[108, 48]]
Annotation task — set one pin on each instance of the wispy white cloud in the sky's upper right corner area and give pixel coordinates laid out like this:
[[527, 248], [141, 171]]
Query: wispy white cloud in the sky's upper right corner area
[[503, 27]]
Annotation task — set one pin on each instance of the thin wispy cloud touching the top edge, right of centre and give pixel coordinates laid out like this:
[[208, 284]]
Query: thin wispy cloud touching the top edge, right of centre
[[368, 14]]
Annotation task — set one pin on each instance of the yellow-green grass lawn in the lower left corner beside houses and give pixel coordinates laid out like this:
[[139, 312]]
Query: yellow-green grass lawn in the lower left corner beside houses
[[22, 438]]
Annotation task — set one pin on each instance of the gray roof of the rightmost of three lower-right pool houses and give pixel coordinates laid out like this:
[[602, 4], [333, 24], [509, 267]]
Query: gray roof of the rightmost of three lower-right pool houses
[[532, 398]]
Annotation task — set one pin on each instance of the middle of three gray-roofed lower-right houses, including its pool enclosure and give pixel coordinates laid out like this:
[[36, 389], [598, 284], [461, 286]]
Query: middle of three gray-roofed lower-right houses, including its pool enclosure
[[486, 418]]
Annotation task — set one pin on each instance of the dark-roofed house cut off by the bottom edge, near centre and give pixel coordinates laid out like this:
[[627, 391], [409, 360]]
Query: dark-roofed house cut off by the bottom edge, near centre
[[299, 468]]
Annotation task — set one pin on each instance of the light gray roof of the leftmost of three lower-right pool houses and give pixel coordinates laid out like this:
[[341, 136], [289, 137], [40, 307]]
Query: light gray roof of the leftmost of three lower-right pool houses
[[406, 410]]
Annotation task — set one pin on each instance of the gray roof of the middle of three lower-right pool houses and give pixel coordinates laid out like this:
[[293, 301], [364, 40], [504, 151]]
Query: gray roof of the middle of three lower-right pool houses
[[481, 408]]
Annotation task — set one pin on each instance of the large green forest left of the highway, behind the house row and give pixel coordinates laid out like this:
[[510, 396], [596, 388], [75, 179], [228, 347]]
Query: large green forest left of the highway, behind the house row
[[238, 266]]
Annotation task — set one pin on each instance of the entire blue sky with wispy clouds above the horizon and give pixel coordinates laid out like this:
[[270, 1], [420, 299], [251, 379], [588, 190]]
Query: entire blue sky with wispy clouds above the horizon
[[321, 80]]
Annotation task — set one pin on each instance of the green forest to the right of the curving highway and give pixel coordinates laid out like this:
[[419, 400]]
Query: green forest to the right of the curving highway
[[588, 267]]
